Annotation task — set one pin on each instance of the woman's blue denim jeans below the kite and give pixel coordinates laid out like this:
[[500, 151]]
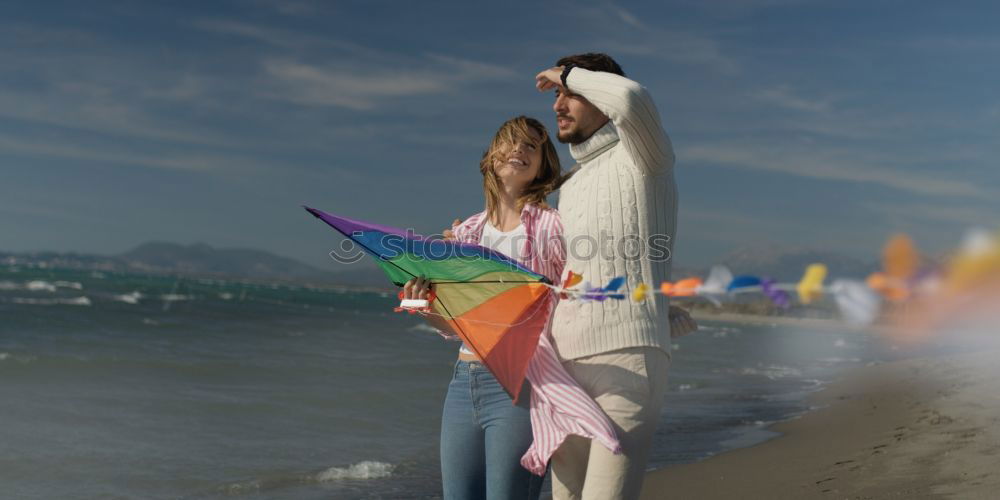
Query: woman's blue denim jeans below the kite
[[483, 436]]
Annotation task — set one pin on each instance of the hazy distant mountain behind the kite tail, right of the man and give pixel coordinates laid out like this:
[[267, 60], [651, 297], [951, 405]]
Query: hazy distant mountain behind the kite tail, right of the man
[[788, 263]]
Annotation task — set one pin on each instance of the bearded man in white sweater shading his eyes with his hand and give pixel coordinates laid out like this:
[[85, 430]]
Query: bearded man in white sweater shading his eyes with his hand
[[619, 213]]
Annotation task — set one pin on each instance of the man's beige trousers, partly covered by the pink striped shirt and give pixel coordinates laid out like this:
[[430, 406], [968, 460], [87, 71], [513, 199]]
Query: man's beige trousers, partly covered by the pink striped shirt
[[629, 385]]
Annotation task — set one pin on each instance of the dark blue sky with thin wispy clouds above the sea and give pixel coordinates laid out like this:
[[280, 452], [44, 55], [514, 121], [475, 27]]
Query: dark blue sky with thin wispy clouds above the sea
[[830, 125]]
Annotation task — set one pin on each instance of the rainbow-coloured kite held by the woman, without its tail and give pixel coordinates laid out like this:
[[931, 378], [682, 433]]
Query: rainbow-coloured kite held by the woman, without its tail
[[496, 306]]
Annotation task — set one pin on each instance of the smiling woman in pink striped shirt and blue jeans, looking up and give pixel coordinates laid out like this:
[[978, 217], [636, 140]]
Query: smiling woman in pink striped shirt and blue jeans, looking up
[[487, 442]]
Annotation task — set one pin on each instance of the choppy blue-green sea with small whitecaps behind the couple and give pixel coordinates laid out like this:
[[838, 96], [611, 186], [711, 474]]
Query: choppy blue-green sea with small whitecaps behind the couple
[[117, 385]]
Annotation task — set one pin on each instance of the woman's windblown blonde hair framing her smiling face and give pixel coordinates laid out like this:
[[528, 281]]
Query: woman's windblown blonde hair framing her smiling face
[[549, 172]]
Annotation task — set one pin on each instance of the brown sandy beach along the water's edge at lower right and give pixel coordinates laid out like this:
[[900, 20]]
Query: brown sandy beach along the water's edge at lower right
[[916, 428]]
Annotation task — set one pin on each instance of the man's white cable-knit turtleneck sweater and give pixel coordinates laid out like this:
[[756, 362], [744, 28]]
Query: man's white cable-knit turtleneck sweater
[[621, 198]]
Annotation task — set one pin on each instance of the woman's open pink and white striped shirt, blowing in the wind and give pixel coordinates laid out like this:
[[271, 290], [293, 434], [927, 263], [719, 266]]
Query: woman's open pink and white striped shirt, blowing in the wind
[[559, 406]]
